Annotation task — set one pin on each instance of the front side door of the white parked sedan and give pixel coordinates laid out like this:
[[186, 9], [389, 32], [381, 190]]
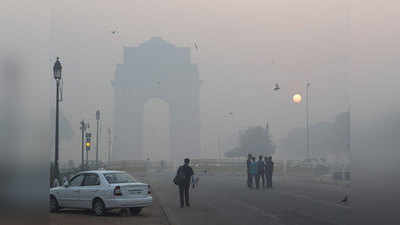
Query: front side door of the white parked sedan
[[72, 192]]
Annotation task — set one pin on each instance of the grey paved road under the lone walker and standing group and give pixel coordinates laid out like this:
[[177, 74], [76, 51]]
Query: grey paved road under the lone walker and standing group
[[225, 200]]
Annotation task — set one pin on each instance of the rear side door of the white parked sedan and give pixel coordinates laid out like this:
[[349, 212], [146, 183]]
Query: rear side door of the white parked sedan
[[89, 190]]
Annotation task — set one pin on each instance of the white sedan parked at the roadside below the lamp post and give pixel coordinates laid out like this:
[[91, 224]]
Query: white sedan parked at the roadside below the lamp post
[[101, 190]]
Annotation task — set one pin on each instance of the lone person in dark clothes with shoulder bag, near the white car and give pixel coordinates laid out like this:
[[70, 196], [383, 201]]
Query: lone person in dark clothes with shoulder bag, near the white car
[[182, 179]]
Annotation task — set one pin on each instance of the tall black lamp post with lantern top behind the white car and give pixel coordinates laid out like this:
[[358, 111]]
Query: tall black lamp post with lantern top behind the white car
[[57, 68]]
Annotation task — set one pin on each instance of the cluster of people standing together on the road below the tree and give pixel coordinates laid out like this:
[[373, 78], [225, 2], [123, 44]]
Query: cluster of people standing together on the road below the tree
[[262, 169]]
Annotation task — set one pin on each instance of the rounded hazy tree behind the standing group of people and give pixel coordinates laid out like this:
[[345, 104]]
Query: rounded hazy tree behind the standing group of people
[[255, 140]]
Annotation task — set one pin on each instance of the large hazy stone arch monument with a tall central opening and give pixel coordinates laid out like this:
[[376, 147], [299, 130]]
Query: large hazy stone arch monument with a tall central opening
[[156, 69]]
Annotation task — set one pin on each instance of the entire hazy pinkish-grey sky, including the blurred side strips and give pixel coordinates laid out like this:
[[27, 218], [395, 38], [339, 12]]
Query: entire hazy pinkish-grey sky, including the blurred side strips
[[245, 47]]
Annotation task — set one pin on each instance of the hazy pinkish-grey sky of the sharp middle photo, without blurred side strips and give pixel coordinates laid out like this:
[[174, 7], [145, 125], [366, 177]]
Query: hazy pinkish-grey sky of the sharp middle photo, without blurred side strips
[[244, 49]]
